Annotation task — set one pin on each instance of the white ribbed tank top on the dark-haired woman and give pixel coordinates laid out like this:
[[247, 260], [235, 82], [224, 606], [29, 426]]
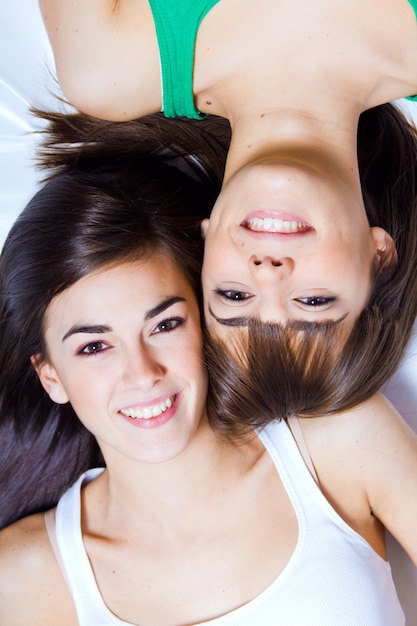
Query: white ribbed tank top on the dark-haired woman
[[333, 578]]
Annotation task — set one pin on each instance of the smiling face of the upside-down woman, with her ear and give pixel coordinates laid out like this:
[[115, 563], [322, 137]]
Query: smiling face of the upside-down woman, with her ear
[[288, 243]]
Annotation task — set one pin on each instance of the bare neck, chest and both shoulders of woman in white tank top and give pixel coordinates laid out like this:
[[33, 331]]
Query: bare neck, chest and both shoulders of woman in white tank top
[[366, 462]]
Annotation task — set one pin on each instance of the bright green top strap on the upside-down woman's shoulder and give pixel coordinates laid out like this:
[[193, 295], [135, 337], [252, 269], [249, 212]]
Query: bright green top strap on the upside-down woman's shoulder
[[177, 23]]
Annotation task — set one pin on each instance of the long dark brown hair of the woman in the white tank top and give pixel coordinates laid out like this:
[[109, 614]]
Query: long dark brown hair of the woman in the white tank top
[[115, 192]]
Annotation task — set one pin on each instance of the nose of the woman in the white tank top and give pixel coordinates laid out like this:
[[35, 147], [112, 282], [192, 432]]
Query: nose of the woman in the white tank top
[[141, 368]]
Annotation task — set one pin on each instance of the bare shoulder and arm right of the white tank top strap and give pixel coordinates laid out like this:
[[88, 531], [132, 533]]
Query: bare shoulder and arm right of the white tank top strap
[[366, 461]]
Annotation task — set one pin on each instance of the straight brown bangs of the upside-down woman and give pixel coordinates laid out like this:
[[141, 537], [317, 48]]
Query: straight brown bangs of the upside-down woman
[[276, 371]]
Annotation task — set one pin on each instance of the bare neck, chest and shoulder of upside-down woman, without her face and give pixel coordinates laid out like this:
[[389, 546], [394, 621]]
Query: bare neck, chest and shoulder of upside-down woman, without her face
[[280, 71]]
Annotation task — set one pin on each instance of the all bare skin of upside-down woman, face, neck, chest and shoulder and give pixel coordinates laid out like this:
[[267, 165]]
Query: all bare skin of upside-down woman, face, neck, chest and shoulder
[[292, 78]]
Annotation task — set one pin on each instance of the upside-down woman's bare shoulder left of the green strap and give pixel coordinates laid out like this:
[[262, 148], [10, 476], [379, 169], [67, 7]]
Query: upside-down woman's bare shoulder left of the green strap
[[106, 55]]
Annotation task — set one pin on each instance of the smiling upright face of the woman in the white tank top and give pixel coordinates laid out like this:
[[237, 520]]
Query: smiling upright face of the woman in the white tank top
[[124, 347]]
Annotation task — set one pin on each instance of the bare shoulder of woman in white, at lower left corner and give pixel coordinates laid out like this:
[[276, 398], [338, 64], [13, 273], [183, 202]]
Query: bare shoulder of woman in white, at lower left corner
[[32, 589]]
